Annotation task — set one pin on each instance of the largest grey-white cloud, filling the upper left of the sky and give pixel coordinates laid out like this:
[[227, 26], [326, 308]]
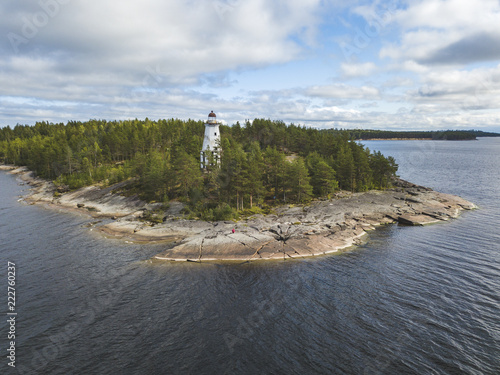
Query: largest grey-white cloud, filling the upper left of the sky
[[185, 39]]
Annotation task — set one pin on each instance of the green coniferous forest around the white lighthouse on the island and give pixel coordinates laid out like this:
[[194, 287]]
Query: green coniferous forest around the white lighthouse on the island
[[264, 162]]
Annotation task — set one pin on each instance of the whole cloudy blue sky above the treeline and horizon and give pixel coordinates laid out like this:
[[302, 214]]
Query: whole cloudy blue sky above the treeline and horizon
[[394, 65]]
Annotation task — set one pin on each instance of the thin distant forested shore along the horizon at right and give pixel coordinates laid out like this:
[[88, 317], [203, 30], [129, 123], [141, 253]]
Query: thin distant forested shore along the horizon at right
[[445, 135]]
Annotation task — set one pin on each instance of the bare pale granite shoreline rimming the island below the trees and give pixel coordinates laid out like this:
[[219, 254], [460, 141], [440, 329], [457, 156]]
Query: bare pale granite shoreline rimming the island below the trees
[[320, 228]]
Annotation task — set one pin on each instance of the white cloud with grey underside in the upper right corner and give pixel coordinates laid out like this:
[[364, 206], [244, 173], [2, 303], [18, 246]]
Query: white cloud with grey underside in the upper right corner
[[447, 32]]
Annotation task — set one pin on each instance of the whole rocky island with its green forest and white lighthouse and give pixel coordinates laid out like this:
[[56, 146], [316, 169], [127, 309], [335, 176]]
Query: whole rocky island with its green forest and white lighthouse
[[209, 191]]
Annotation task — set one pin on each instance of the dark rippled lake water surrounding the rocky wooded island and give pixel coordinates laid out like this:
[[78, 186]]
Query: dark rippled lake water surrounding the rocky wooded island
[[410, 301]]
